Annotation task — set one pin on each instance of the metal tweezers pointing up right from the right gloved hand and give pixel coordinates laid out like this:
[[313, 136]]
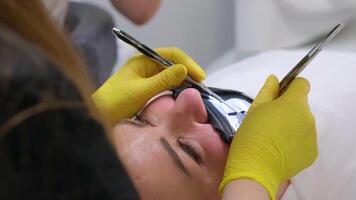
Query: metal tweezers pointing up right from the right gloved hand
[[307, 58]]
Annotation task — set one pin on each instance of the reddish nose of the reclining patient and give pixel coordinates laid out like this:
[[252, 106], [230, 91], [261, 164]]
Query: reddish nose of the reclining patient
[[189, 107]]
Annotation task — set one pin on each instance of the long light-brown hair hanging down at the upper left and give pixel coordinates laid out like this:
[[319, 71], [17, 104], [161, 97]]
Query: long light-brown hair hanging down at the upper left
[[31, 21]]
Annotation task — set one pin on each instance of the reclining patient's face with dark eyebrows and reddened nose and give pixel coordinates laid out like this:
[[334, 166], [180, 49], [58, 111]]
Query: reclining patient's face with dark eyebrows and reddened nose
[[171, 151]]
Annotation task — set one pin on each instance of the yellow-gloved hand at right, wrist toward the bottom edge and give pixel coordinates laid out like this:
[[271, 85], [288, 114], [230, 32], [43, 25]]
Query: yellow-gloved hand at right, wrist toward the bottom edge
[[277, 138]]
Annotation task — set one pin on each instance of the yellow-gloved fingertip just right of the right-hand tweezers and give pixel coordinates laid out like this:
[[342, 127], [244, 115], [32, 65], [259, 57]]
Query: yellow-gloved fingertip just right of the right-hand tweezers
[[297, 90]]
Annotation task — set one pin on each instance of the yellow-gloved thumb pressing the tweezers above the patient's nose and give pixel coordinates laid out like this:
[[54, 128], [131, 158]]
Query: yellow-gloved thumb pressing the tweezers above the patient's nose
[[167, 78]]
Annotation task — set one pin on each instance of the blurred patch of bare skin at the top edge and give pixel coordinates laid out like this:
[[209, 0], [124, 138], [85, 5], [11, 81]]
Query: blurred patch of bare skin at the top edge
[[138, 11]]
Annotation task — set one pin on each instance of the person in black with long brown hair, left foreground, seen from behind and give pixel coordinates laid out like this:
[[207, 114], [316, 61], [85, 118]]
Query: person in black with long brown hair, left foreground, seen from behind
[[51, 146]]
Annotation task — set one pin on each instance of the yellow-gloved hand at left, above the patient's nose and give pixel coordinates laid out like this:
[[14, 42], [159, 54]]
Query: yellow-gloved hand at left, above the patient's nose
[[126, 92]]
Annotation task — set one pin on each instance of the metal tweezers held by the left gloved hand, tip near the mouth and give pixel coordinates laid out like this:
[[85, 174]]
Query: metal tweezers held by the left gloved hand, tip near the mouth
[[156, 57]]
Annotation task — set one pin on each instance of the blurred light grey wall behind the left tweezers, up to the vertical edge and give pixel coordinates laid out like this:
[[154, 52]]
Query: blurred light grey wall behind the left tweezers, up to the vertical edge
[[202, 28]]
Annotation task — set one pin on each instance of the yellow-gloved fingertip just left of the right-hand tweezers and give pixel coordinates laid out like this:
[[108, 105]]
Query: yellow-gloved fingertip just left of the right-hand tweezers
[[268, 92]]
